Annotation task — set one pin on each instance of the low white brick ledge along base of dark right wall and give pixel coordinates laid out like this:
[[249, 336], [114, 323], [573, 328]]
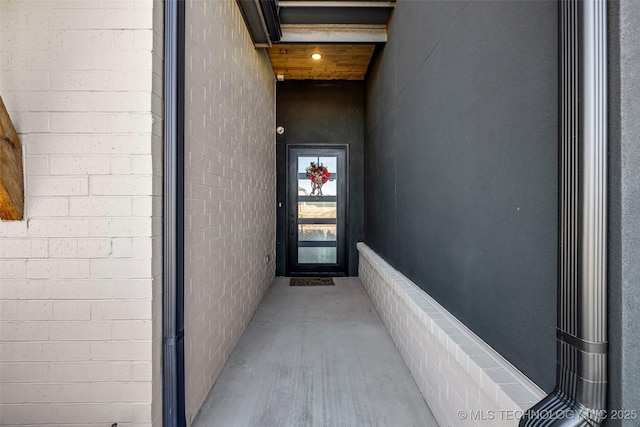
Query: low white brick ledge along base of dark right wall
[[463, 380]]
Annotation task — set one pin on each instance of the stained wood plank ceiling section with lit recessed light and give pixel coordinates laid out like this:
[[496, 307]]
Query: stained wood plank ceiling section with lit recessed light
[[338, 61]]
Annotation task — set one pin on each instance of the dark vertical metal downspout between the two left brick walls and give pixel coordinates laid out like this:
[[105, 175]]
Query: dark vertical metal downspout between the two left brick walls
[[173, 216]]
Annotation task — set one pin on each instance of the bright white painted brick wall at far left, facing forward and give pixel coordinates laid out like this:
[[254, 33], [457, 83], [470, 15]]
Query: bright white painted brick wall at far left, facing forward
[[80, 276]]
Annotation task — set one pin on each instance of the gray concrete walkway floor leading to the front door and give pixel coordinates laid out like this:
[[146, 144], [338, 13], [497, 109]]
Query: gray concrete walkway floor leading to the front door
[[315, 356]]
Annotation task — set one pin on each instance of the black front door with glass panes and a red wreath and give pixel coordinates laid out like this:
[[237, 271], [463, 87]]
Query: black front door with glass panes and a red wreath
[[317, 217]]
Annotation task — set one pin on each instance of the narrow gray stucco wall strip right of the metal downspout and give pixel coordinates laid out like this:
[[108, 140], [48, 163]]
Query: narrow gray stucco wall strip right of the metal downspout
[[624, 209]]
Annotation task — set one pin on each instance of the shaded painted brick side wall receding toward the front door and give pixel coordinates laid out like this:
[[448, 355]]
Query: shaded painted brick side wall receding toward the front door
[[230, 189]]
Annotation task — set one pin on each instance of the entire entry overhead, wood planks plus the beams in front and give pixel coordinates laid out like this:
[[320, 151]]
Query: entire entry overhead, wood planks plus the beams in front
[[344, 32]]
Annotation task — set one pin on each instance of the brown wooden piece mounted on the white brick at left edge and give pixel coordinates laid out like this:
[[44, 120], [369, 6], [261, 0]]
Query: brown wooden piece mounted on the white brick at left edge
[[11, 178]]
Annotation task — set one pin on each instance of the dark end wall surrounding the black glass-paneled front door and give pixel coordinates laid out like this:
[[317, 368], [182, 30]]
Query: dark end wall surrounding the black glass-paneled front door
[[324, 112]]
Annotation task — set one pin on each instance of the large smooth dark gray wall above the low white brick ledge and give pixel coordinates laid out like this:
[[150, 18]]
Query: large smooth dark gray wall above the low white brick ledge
[[461, 166]]
